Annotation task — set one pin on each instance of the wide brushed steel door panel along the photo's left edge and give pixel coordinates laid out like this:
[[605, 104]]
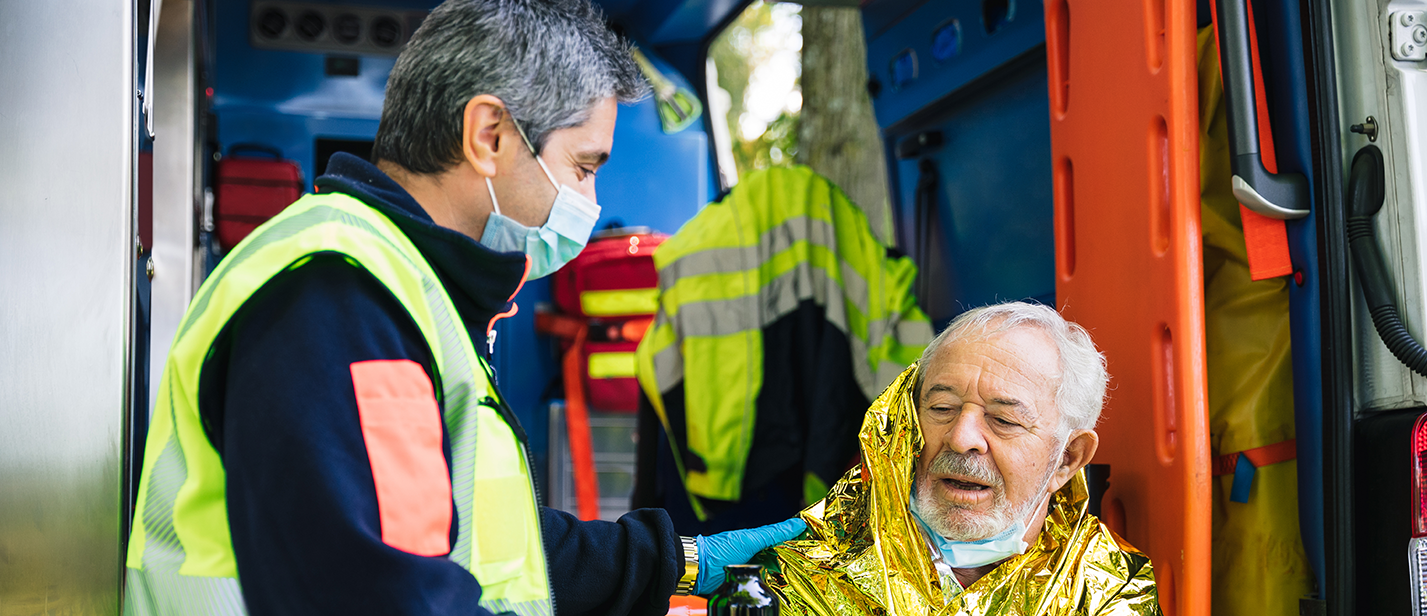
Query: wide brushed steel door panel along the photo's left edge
[[68, 130]]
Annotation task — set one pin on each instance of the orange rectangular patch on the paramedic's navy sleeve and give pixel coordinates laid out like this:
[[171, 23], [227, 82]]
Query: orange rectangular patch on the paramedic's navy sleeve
[[402, 427]]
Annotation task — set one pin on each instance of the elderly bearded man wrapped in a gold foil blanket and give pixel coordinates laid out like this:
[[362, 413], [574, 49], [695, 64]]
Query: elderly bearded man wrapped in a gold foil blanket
[[973, 486]]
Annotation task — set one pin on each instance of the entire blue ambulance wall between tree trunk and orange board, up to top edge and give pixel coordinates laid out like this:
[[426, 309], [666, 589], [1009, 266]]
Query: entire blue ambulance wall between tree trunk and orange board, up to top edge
[[994, 237]]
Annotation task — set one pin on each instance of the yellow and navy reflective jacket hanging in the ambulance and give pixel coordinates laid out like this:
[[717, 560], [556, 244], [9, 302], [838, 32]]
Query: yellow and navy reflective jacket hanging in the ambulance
[[781, 316]]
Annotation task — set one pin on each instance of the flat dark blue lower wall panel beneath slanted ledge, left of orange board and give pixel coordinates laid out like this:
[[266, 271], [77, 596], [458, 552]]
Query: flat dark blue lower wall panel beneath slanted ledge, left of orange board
[[994, 206]]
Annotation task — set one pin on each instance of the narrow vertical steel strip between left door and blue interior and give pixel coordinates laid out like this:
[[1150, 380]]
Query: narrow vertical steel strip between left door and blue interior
[[178, 195]]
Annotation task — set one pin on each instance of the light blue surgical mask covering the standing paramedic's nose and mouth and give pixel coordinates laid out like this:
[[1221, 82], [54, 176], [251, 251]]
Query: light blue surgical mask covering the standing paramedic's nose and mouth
[[556, 243]]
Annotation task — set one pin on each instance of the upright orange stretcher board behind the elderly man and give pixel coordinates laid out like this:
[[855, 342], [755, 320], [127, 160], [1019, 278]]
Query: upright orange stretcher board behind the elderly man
[[1129, 266]]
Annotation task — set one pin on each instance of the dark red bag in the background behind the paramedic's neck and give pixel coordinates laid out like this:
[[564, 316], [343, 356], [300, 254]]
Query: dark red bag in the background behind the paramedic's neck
[[250, 190]]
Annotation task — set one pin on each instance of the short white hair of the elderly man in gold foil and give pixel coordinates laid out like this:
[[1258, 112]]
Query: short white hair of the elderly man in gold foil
[[1082, 381]]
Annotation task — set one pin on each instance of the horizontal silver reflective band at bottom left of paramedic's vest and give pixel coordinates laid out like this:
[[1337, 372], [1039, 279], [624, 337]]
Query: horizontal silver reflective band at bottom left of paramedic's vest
[[153, 594]]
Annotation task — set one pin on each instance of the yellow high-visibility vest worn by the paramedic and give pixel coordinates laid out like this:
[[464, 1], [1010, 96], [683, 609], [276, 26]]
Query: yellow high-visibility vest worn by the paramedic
[[181, 553]]
